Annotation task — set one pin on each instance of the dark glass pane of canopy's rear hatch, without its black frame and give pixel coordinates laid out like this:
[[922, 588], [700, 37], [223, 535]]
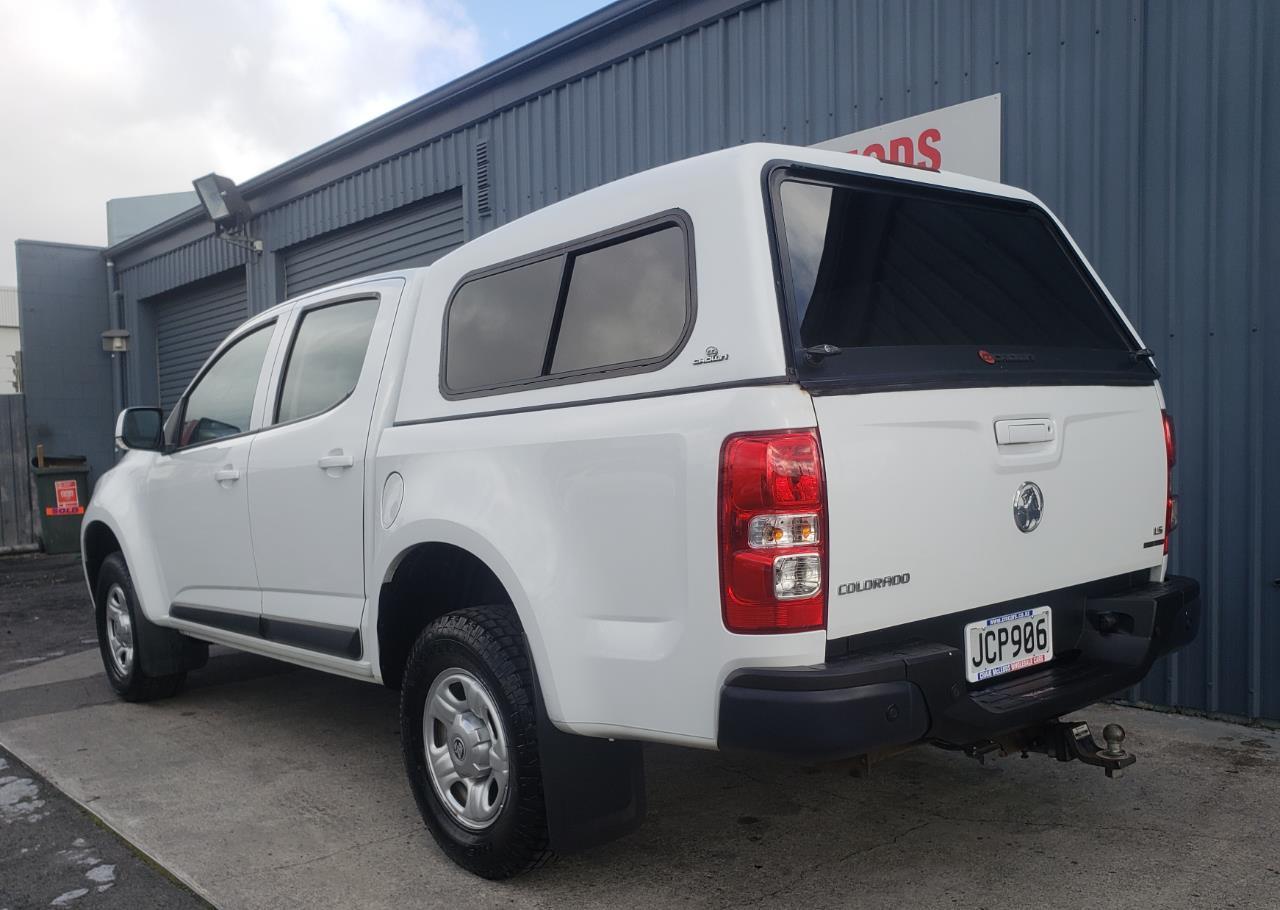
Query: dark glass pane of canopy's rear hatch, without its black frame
[[876, 268]]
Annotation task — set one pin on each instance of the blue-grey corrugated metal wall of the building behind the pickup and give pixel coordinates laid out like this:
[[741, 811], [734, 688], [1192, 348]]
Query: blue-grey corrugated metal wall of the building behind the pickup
[[1145, 125]]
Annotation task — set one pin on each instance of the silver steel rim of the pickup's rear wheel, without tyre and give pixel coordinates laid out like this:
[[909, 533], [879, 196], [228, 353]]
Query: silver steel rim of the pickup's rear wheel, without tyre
[[465, 743]]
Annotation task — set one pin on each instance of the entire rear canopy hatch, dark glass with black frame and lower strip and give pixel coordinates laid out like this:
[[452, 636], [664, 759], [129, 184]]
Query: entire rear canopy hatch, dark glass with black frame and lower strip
[[895, 285]]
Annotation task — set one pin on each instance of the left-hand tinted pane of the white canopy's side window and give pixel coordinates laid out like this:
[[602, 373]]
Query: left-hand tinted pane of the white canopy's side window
[[500, 326]]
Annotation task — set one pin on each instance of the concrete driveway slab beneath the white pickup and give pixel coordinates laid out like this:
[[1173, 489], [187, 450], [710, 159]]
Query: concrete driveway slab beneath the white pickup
[[267, 786]]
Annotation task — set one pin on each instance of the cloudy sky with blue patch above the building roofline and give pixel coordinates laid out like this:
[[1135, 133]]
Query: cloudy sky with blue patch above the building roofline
[[102, 99]]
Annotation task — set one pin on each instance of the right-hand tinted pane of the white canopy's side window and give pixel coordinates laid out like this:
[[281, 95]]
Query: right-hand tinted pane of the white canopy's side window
[[627, 303]]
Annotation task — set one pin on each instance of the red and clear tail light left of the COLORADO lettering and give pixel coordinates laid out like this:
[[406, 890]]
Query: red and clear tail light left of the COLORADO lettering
[[774, 533]]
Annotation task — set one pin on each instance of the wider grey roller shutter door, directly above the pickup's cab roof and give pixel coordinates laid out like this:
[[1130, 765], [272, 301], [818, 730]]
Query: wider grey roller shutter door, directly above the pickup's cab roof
[[415, 235]]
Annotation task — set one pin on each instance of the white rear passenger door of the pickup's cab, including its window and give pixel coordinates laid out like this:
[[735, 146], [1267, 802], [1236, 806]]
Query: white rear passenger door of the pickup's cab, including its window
[[308, 499]]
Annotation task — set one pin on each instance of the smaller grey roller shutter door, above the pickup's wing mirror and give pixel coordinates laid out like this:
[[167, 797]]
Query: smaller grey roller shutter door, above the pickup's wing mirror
[[190, 324]]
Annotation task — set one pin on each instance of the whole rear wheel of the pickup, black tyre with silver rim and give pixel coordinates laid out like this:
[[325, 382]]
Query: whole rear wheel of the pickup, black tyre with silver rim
[[469, 728]]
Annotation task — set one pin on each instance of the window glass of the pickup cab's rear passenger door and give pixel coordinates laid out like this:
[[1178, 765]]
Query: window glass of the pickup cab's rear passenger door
[[327, 356]]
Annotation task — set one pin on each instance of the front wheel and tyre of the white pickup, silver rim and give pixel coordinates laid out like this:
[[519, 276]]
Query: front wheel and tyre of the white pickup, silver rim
[[121, 639]]
